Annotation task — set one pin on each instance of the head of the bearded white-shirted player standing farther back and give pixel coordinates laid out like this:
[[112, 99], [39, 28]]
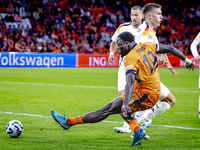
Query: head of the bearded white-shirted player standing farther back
[[136, 16]]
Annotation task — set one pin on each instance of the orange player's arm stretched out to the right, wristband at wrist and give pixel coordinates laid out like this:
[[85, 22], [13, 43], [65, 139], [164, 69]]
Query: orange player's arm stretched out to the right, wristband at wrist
[[163, 49]]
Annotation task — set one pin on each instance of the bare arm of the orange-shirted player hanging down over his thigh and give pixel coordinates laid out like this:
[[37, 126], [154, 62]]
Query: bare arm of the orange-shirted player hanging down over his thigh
[[130, 78]]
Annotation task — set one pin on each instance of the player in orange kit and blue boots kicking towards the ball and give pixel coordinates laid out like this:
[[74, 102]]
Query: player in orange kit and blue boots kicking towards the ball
[[142, 88]]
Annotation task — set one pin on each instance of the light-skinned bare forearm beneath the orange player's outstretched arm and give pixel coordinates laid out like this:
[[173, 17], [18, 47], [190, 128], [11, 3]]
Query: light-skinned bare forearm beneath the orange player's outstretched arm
[[163, 59]]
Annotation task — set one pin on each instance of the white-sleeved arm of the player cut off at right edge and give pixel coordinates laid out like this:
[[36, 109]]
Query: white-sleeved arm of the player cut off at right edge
[[194, 51]]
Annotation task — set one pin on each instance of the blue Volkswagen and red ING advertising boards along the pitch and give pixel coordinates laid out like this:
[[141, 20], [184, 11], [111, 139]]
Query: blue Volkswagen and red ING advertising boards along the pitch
[[15, 59]]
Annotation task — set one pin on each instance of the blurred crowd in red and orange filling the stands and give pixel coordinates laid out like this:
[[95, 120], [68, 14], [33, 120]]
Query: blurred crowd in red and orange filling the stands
[[87, 26]]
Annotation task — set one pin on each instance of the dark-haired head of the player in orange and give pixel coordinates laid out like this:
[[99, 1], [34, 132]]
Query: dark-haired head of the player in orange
[[125, 42]]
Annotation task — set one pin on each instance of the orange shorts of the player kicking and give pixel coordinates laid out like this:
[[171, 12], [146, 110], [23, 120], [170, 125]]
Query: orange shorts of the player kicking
[[142, 101]]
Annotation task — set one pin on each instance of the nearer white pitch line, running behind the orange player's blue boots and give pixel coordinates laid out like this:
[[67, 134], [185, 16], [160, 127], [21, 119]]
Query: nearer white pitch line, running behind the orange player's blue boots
[[24, 114]]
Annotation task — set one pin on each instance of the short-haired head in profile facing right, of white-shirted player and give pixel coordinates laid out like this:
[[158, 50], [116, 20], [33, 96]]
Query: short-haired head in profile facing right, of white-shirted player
[[153, 14]]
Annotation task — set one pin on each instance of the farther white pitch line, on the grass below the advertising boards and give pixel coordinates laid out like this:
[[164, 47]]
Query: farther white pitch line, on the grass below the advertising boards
[[174, 89]]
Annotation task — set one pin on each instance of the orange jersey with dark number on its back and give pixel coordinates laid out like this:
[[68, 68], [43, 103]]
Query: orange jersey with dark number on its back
[[142, 61]]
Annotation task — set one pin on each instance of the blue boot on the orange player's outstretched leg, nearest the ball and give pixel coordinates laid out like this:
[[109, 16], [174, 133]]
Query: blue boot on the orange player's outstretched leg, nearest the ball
[[62, 120]]
